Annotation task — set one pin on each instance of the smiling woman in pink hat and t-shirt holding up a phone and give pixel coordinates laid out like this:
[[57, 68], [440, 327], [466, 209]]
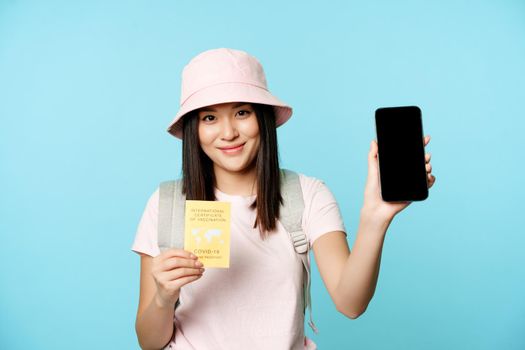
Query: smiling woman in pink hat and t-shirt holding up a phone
[[227, 122]]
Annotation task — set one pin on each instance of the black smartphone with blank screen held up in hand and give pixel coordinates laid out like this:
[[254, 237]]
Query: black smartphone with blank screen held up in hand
[[401, 154]]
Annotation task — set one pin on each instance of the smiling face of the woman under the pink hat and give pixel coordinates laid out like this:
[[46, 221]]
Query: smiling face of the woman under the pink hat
[[229, 135]]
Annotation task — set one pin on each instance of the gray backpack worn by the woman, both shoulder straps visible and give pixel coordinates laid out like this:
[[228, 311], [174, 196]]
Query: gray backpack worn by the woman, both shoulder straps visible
[[171, 223]]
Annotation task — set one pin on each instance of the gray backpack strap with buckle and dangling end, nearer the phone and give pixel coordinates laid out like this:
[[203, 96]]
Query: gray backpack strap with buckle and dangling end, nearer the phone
[[291, 215]]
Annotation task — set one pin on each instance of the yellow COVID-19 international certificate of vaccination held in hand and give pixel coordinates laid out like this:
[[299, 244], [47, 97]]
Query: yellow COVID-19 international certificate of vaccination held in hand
[[207, 232]]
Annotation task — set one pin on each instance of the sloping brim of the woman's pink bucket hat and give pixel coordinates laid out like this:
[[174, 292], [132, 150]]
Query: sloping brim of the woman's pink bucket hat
[[229, 92]]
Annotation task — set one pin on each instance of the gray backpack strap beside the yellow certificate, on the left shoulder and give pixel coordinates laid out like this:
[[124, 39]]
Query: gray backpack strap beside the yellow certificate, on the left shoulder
[[171, 215]]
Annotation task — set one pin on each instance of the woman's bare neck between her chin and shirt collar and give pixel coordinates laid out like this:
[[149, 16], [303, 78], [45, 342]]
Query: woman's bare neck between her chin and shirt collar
[[241, 183]]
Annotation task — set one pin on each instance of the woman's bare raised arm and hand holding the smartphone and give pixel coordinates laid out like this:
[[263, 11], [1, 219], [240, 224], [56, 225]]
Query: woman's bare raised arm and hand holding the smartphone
[[351, 279]]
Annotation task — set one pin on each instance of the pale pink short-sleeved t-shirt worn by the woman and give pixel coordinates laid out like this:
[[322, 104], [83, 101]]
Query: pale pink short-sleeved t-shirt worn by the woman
[[257, 302]]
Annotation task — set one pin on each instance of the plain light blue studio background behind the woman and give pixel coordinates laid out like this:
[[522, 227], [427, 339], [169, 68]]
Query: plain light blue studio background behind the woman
[[87, 90]]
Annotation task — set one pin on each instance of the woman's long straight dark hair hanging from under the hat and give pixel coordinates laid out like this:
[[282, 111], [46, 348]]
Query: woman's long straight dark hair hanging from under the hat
[[199, 178]]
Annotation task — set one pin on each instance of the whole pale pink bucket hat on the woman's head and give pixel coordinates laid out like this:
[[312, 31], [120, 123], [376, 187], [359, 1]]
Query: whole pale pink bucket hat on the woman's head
[[224, 75]]
